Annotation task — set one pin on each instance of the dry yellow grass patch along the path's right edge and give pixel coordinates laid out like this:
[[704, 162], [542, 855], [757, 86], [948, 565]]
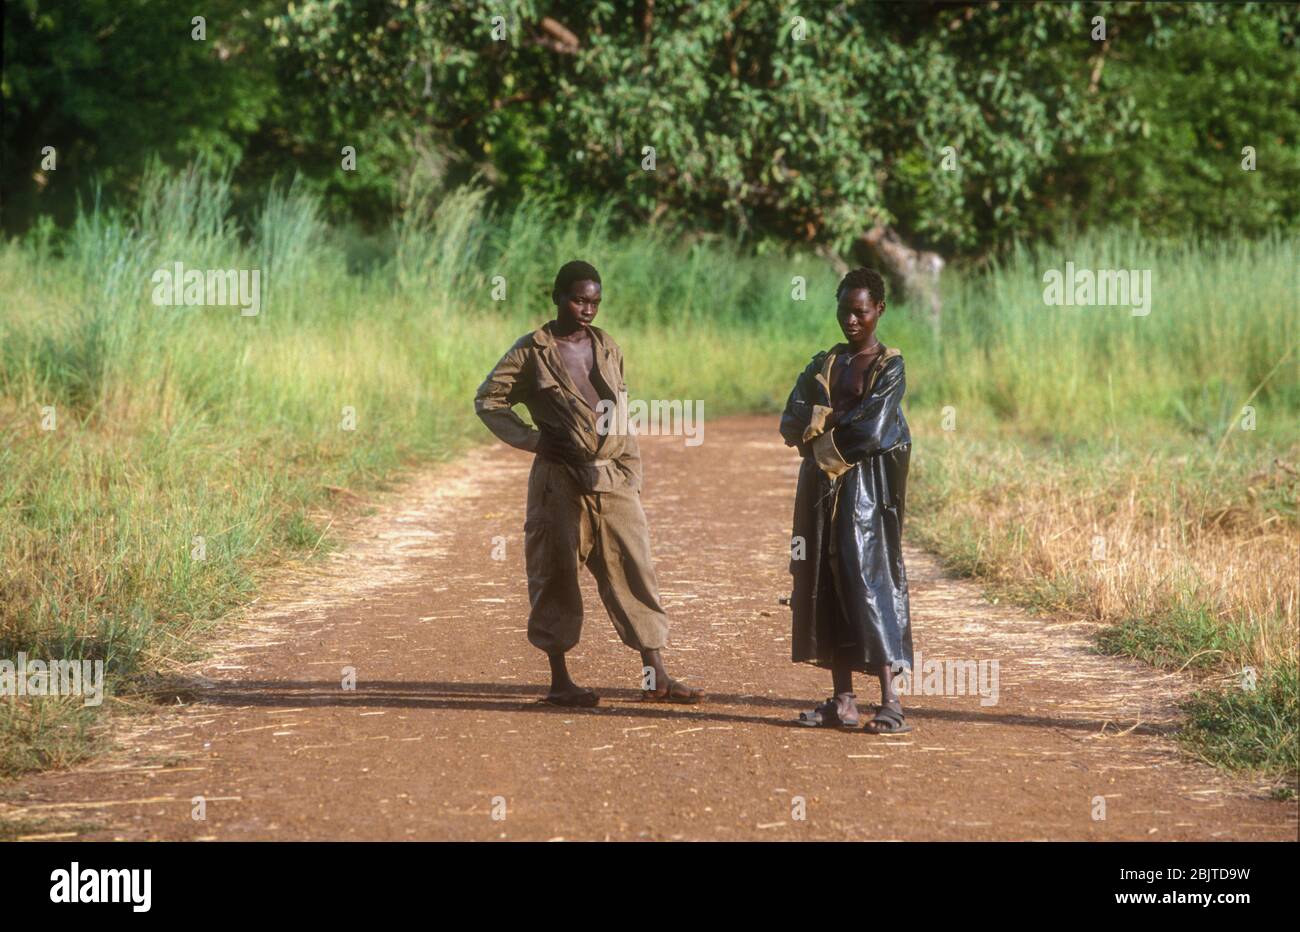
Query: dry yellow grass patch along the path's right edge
[[1126, 539]]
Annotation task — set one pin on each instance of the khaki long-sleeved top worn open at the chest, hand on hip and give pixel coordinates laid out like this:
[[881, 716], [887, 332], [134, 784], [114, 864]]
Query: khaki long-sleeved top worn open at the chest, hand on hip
[[532, 374]]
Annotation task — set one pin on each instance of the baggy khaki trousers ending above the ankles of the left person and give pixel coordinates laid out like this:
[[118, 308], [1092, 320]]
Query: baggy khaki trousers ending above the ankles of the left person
[[567, 528]]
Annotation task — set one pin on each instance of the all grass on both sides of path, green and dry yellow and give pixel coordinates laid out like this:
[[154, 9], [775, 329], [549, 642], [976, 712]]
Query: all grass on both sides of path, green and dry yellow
[[1134, 471]]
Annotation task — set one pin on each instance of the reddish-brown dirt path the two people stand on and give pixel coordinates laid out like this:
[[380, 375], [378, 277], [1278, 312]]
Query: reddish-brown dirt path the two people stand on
[[445, 714]]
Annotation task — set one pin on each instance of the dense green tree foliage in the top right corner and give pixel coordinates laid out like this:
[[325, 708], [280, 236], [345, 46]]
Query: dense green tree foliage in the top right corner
[[1203, 96]]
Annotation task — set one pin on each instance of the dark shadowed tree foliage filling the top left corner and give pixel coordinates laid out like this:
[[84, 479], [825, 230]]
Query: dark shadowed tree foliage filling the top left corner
[[110, 84]]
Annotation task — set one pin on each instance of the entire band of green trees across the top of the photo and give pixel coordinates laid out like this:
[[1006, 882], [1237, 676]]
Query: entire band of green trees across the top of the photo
[[770, 119]]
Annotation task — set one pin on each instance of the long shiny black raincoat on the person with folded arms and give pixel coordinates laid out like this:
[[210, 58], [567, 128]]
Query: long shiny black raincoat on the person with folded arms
[[851, 588]]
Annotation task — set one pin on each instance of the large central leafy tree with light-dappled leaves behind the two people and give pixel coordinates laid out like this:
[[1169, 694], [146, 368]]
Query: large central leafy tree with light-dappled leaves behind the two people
[[768, 118]]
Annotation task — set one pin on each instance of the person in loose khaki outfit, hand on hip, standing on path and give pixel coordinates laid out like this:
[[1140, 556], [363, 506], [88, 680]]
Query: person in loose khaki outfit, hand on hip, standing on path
[[584, 493]]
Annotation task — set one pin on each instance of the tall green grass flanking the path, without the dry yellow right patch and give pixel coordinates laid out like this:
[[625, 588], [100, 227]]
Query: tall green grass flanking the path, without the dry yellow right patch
[[176, 423]]
